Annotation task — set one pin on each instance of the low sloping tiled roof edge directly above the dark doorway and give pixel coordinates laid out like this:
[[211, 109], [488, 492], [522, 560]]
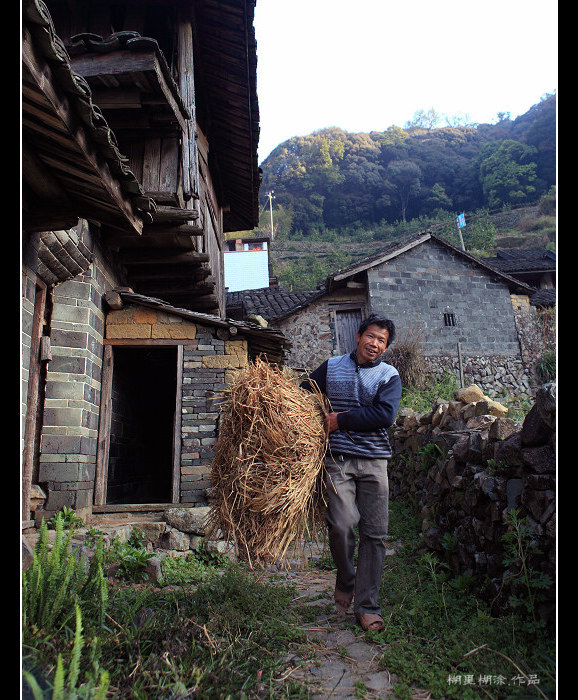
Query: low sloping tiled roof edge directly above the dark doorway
[[268, 341]]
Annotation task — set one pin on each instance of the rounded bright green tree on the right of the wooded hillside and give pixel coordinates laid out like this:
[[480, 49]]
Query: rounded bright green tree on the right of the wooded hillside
[[507, 172]]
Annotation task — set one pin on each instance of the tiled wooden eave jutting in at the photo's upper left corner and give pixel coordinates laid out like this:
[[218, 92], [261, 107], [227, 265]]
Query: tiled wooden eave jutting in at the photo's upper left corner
[[72, 165]]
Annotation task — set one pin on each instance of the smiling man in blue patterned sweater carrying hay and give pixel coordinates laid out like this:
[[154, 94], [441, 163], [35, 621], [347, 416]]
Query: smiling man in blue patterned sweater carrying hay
[[364, 394]]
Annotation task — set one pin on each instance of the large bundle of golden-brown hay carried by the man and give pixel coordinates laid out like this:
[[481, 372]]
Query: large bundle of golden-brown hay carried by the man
[[268, 462]]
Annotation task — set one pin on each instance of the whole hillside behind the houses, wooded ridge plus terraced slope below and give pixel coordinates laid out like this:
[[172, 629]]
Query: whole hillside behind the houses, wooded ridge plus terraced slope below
[[336, 196]]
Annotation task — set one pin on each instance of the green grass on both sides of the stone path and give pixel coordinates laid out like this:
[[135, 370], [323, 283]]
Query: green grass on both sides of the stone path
[[217, 630]]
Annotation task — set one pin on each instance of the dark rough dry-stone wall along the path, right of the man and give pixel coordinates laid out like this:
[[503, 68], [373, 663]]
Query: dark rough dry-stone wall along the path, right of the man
[[465, 465]]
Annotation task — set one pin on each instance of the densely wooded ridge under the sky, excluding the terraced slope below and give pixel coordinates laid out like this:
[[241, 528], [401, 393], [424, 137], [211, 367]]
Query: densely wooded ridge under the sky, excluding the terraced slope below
[[342, 181]]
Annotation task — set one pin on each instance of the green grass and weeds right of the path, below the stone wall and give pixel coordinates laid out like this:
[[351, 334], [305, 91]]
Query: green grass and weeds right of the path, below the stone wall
[[442, 638]]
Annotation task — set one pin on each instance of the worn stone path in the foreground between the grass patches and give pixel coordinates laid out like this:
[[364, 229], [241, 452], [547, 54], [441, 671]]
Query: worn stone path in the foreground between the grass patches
[[346, 661]]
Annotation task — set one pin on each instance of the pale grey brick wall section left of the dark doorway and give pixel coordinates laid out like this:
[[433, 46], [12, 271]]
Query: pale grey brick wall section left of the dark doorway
[[72, 399]]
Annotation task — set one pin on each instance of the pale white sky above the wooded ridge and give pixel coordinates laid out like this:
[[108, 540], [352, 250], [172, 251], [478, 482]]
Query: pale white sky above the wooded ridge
[[365, 65]]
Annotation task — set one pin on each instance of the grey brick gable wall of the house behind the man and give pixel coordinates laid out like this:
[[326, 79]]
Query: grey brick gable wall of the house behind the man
[[416, 288]]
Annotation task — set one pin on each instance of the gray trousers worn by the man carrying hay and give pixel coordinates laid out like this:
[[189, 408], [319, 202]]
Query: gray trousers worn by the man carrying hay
[[357, 492]]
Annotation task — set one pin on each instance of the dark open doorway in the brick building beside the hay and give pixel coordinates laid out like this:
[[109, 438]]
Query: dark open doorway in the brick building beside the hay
[[140, 463]]
